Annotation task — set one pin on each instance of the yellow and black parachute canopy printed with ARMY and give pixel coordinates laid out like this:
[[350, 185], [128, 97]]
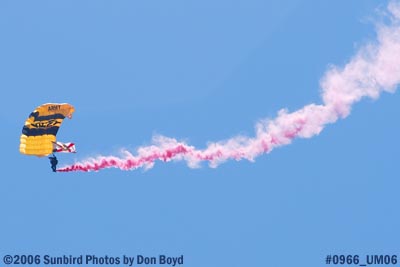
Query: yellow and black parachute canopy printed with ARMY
[[40, 129]]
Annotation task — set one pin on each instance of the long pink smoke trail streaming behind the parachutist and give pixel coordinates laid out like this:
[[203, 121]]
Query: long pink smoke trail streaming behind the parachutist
[[373, 69]]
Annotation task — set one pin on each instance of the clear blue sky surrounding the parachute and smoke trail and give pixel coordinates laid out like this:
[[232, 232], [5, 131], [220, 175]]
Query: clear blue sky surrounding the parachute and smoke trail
[[199, 71]]
